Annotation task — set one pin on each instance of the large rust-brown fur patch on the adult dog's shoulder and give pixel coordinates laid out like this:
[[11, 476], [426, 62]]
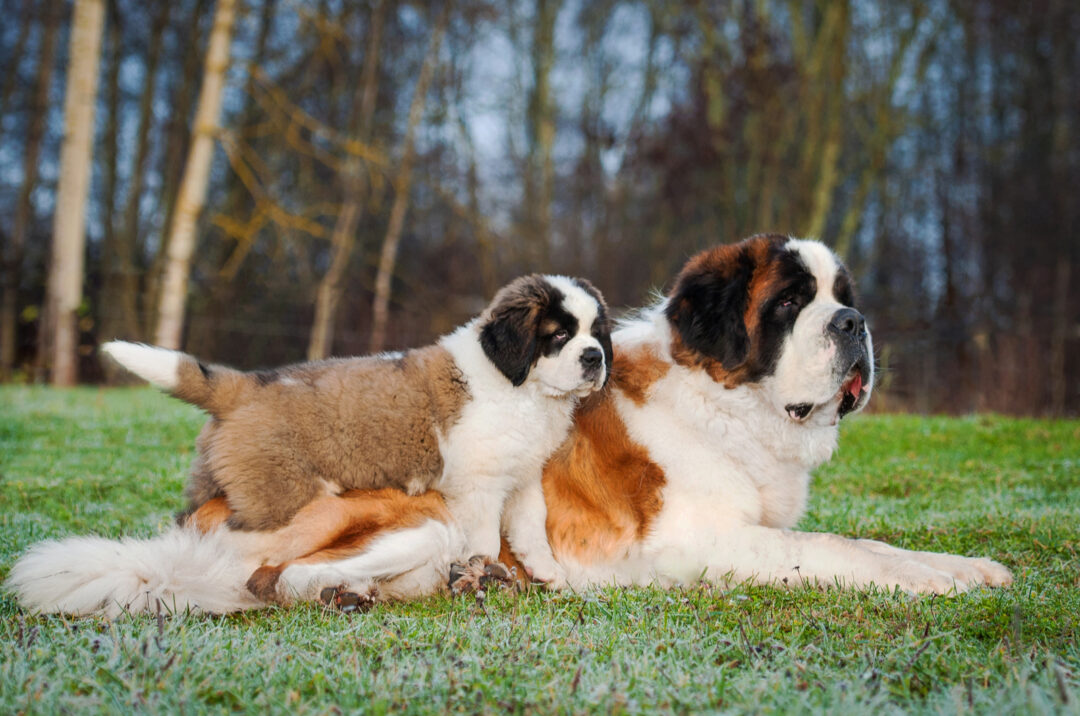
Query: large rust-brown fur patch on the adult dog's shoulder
[[602, 490]]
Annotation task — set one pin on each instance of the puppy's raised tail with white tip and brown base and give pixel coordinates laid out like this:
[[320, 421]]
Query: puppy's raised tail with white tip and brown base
[[213, 388]]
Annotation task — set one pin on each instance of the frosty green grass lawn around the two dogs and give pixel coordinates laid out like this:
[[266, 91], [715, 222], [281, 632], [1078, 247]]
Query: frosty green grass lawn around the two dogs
[[114, 463]]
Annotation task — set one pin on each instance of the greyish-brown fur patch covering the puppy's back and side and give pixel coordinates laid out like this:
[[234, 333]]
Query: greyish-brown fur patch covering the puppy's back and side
[[356, 424]]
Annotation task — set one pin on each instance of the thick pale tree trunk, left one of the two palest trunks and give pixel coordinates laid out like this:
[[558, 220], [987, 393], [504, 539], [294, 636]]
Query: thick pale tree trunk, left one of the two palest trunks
[[64, 292]]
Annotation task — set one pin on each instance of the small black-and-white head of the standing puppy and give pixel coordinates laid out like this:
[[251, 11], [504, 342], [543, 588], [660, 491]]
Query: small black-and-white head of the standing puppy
[[550, 330]]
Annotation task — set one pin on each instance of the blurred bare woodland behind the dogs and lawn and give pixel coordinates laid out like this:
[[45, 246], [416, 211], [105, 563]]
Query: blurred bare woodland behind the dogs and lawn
[[371, 171]]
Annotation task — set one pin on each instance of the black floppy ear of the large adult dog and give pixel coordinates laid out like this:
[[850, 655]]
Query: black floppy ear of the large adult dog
[[708, 305]]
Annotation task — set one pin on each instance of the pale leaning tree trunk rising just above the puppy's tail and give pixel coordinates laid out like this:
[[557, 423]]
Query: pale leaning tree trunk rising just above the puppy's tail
[[182, 235]]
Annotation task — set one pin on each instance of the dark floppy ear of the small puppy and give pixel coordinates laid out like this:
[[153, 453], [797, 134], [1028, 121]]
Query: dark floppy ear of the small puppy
[[510, 326]]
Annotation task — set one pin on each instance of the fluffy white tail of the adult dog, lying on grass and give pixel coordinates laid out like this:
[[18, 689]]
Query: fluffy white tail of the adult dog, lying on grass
[[183, 570]]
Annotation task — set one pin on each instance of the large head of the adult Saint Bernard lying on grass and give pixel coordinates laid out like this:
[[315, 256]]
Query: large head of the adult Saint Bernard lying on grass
[[780, 314]]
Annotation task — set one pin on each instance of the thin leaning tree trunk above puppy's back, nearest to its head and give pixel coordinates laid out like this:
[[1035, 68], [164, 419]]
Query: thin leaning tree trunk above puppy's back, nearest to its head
[[381, 308]]
